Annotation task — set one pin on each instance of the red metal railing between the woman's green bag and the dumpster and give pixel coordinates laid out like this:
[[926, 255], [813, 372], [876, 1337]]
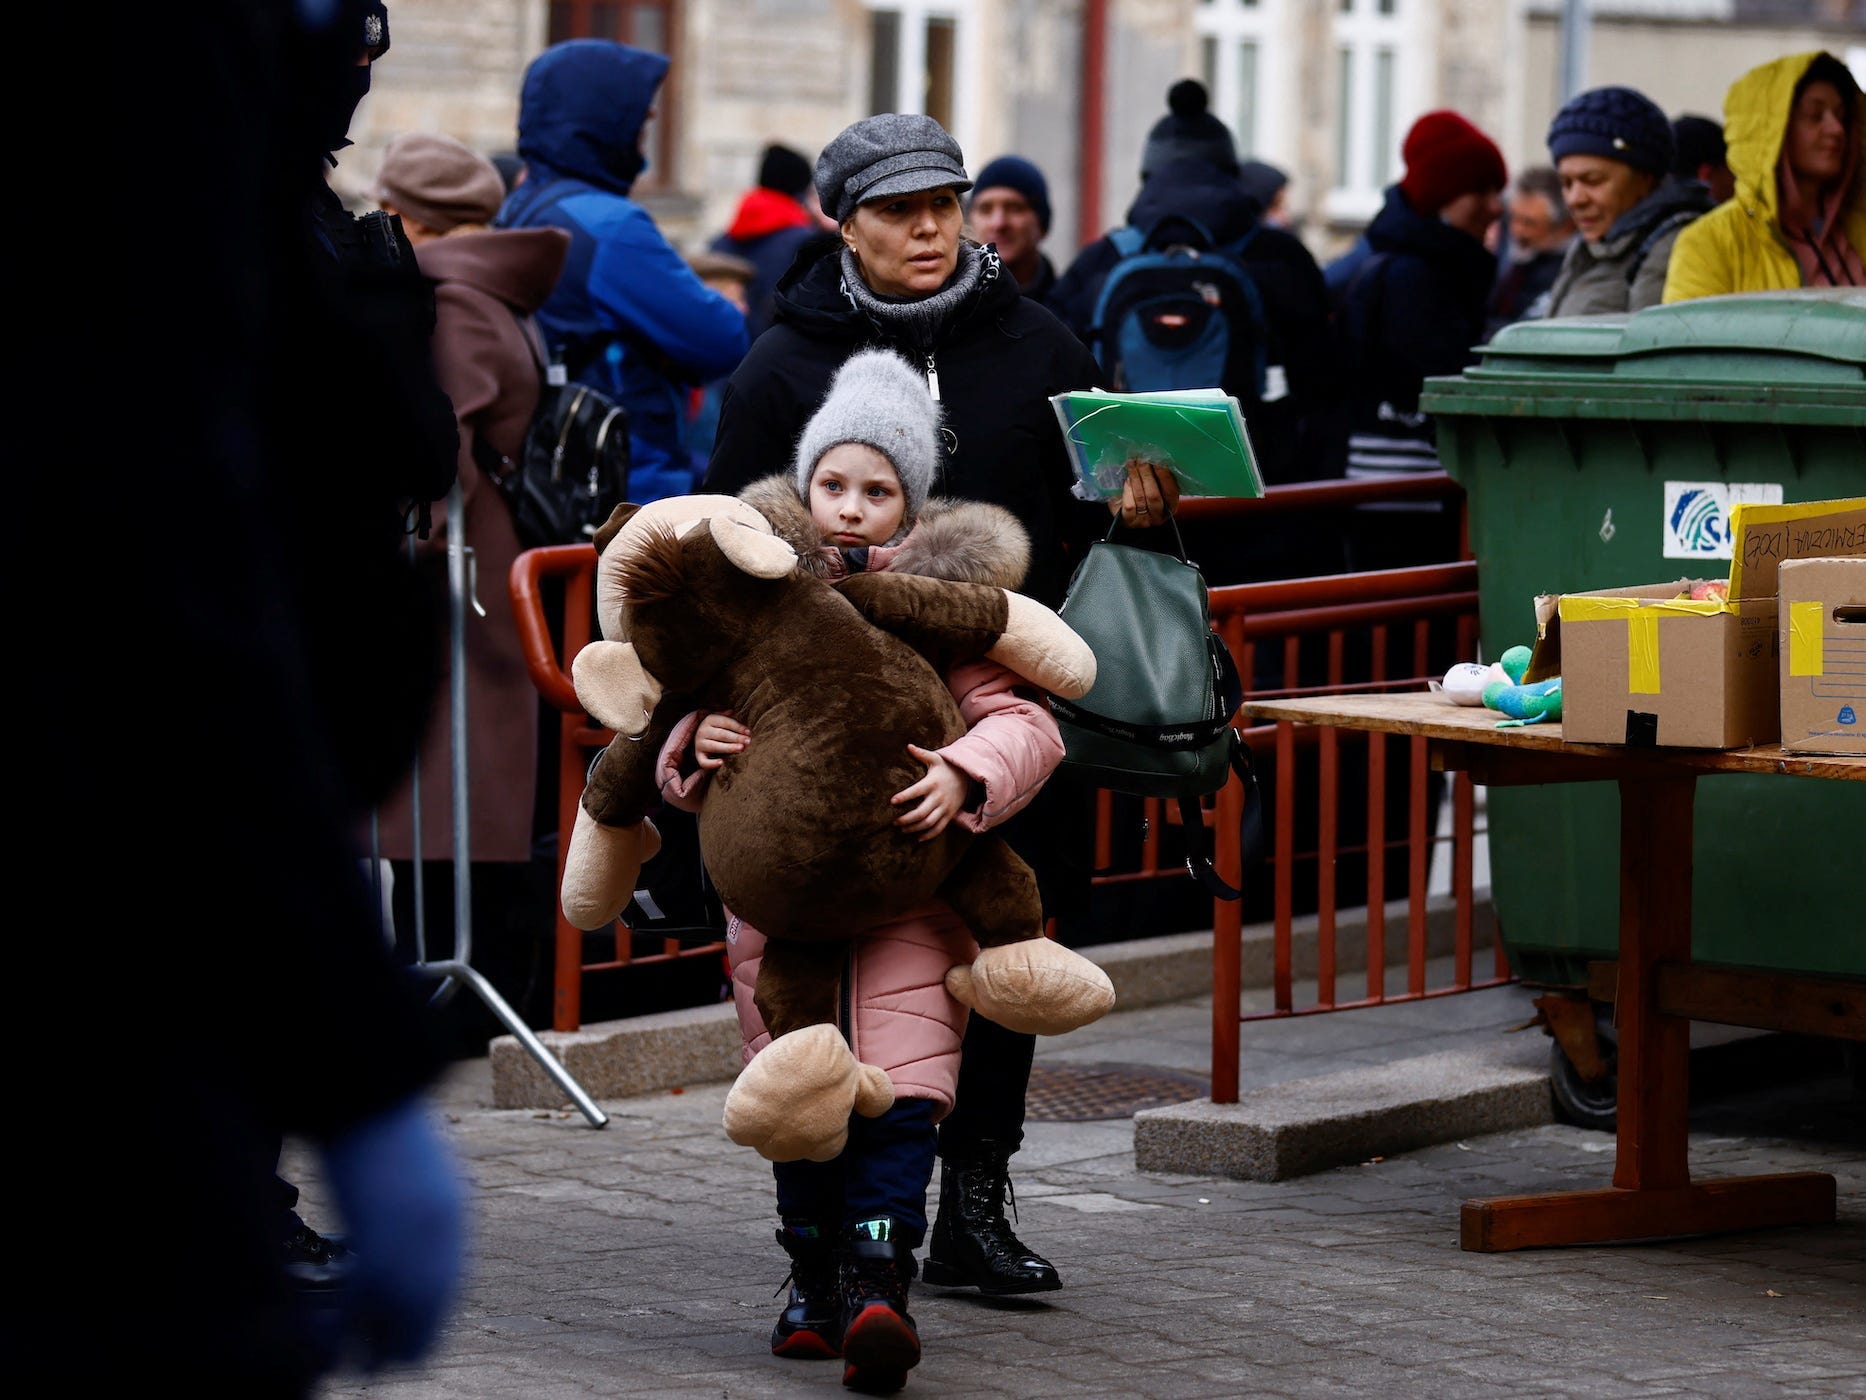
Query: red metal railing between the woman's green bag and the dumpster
[[1309, 624]]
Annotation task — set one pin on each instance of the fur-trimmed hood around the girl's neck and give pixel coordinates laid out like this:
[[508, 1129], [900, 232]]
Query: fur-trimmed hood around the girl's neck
[[954, 540]]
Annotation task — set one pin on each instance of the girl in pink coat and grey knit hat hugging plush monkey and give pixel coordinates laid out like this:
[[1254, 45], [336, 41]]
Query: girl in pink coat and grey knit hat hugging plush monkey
[[857, 501]]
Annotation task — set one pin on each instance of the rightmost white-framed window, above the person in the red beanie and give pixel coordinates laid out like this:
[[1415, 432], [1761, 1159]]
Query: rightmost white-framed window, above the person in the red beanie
[[1374, 51]]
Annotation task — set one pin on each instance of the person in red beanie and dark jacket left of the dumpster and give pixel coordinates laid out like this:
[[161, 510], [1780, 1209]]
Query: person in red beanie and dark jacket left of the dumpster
[[1412, 303]]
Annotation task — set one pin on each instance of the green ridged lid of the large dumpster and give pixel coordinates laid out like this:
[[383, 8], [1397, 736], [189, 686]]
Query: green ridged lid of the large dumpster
[[1757, 354]]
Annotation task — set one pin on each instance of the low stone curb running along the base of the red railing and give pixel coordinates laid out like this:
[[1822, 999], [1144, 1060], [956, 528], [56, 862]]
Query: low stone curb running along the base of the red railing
[[701, 1044]]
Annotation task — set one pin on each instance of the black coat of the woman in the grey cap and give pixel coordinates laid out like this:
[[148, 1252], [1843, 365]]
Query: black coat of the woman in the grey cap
[[997, 363]]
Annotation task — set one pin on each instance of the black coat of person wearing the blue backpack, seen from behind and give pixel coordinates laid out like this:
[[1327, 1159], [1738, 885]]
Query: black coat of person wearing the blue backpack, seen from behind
[[1292, 436]]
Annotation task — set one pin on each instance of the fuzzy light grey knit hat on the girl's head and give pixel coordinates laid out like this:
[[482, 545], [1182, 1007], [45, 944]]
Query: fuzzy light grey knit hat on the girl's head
[[882, 400]]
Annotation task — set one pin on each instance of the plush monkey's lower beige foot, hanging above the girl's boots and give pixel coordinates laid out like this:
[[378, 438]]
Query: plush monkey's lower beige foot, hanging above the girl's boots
[[794, 1100]]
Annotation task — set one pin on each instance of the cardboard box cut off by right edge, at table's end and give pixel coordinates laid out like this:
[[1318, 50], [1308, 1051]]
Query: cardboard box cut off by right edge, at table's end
[[1824, 656]]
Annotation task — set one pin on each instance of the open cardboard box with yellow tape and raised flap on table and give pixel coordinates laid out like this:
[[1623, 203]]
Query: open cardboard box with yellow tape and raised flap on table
[[1652, 667]]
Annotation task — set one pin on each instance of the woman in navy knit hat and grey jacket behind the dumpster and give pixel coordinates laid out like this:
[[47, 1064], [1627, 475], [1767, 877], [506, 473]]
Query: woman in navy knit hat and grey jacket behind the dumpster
[[1613, 150]]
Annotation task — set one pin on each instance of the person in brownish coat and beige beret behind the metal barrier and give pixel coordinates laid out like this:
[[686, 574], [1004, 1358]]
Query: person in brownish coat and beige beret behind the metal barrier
[[488, 283]]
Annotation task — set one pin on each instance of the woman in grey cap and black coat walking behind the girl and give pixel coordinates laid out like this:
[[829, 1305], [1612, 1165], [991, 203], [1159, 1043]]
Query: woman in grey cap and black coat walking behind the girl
[[902, 277]]
